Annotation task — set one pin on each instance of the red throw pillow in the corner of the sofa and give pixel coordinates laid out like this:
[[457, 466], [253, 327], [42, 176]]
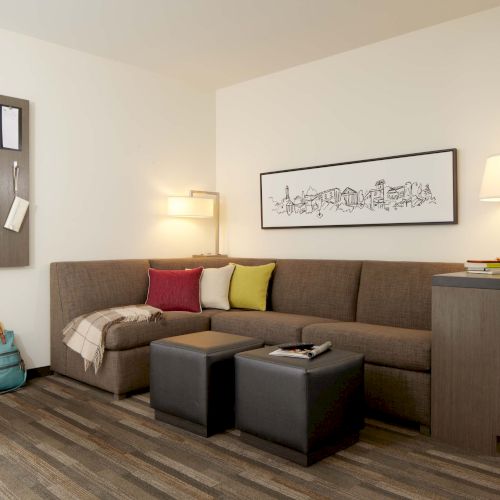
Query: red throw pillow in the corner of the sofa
[[175, 290]]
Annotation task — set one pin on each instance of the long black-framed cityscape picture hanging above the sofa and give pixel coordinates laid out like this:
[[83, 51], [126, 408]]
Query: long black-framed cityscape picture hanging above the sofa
[[446, 157]]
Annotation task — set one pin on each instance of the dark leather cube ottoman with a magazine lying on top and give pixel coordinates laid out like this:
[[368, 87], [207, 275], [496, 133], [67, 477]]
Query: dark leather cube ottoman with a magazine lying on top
[[300, 409]]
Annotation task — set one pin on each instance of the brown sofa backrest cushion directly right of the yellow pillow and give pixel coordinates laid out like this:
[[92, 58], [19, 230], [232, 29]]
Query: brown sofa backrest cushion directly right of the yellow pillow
[[326, 288]]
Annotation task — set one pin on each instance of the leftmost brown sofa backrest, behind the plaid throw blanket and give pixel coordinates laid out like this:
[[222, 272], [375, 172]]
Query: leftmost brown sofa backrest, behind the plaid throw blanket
[[84, 287]]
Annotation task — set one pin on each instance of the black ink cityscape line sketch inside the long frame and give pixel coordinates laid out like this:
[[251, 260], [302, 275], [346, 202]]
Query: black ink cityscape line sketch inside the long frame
[[410, 195]]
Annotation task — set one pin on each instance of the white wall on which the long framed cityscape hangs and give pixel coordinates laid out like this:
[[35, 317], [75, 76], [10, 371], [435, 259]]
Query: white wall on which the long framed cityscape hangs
[[432, 89]]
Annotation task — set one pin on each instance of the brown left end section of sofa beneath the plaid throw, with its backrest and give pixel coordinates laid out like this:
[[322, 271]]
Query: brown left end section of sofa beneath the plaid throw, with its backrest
[[82, 287]]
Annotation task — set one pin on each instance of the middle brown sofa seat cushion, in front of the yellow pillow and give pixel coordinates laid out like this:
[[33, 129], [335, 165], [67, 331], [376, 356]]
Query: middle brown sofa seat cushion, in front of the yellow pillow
[[272, 327]]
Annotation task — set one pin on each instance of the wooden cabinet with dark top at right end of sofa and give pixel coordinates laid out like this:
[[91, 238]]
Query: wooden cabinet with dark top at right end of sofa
[[465, 407]]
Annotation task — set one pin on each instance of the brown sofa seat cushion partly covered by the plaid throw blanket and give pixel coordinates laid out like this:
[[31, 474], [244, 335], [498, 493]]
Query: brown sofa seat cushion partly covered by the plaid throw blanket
[[130, 335]]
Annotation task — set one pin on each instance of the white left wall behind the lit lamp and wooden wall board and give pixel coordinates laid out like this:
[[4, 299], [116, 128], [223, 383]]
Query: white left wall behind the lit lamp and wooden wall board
[[108, 142]]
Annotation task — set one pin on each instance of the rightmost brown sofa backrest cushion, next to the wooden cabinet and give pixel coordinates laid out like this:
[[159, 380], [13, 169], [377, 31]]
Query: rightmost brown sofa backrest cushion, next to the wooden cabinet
[[399, 293]]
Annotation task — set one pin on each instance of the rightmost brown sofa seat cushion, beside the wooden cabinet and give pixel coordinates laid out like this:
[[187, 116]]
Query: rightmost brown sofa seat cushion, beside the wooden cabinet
[[403, 348]]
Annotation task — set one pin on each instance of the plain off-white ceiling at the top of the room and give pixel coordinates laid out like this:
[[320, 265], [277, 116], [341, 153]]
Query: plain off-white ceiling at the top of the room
[[216, 43]]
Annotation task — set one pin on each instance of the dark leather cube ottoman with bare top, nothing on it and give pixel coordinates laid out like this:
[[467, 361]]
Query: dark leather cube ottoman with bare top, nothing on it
[[192, 379]]
